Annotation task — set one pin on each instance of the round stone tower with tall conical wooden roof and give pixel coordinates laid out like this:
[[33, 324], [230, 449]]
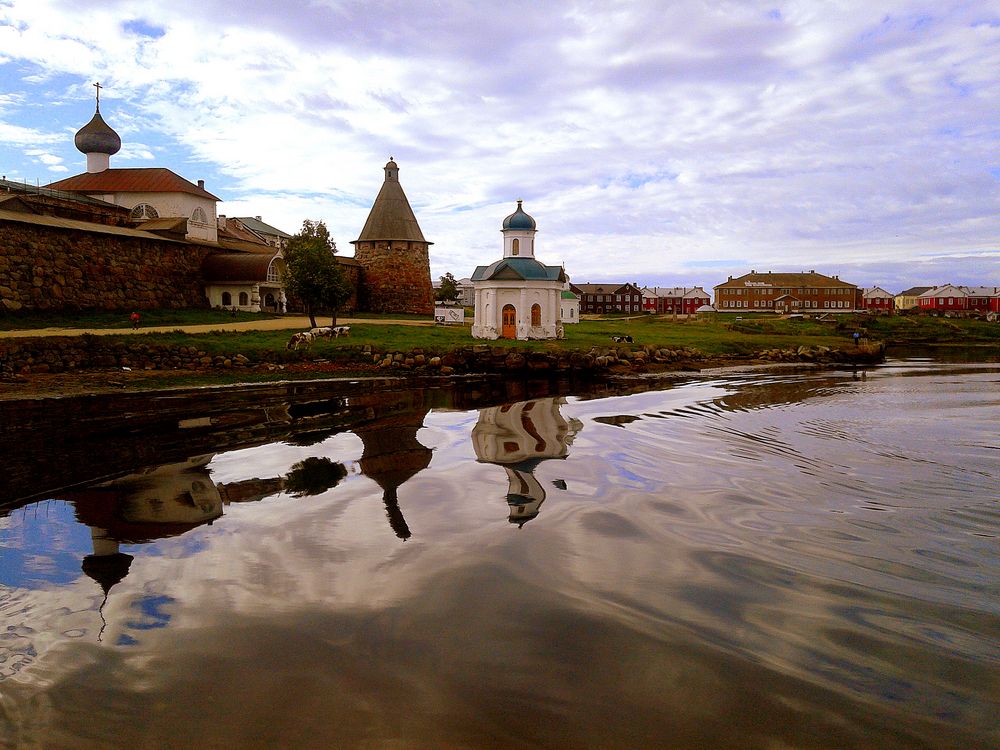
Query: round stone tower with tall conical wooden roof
[[392, 251]]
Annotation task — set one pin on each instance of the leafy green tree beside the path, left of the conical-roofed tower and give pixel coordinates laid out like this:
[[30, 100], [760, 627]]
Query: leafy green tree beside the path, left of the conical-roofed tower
[[311, 271]]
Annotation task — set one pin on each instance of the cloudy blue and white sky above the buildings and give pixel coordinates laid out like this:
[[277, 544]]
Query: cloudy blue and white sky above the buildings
[[666, 143]]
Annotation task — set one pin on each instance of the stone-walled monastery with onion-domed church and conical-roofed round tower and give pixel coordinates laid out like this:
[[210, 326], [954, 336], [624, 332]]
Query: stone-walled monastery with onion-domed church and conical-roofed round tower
[[148, 238]]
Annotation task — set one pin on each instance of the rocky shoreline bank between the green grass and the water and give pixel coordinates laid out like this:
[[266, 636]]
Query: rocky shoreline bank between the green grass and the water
[[52, 367]]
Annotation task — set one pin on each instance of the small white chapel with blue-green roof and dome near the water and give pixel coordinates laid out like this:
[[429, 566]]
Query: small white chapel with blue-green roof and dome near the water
[[517, 297]]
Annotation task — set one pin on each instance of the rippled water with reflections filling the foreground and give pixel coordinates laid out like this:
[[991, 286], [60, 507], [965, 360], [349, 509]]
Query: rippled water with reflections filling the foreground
[[782, 560]]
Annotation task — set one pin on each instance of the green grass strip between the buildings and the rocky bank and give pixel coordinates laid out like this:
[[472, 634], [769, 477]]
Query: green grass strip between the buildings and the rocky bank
[[713, 335]]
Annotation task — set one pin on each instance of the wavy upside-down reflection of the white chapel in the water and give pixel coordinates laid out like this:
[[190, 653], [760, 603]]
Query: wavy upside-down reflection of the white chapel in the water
[[519, 437]]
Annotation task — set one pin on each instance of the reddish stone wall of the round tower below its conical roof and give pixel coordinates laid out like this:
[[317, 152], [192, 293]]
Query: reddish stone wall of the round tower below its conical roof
[[396, 277]]
